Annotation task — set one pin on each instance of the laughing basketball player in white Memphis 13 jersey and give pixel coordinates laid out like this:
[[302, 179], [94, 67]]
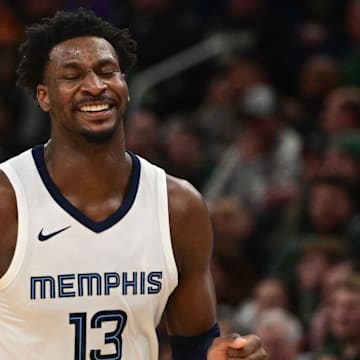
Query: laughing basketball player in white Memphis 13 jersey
[[96, 243]]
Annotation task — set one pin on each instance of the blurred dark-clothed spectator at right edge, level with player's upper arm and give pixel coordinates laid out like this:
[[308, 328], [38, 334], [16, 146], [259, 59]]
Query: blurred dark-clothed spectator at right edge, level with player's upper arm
[[329, 212]]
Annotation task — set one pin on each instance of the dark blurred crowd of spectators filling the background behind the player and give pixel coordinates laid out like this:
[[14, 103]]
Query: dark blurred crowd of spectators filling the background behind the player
[[268, 133]]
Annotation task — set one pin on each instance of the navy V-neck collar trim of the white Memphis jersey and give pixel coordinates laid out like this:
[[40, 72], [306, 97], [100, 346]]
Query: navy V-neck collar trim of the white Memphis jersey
[[38, 155]]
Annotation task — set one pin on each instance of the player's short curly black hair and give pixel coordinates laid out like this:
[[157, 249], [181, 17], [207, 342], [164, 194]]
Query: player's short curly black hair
[[64, 25]]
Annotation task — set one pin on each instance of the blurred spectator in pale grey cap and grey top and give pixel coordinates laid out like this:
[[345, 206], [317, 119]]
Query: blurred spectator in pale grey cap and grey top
[[261, 166]]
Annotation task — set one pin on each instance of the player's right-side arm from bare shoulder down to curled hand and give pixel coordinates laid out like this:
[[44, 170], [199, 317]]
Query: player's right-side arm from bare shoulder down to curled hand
[[191, 307]]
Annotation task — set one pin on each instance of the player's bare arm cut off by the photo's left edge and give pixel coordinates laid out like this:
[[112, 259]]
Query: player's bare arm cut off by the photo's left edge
[[8, 221]]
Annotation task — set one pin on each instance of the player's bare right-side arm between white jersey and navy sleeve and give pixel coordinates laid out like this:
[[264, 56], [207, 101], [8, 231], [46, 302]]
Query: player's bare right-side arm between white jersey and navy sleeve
[[191, 307]]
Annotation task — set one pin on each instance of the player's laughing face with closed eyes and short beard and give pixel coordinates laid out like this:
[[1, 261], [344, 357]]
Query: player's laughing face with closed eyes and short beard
[[84, 90]]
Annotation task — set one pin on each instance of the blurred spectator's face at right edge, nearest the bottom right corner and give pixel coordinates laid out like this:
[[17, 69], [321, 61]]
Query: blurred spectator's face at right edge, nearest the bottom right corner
[[345, 314]]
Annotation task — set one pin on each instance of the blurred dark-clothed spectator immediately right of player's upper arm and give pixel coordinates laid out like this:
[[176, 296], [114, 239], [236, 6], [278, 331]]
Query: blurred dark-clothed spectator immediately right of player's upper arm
[[233, 229]]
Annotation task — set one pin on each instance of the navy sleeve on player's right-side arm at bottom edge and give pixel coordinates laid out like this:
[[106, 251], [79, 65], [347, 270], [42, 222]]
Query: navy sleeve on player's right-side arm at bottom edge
[[193, 347]]
